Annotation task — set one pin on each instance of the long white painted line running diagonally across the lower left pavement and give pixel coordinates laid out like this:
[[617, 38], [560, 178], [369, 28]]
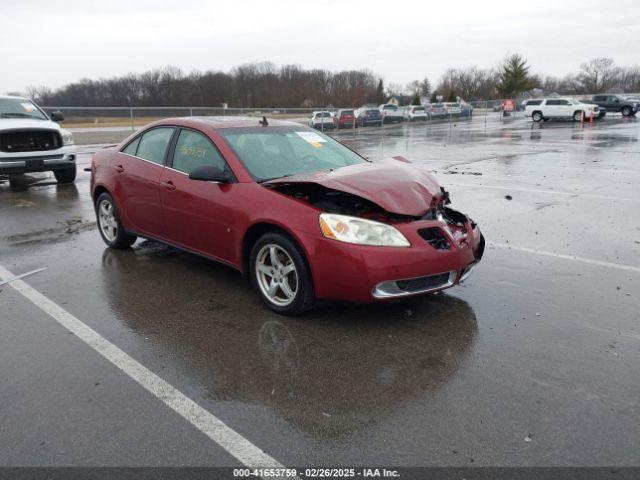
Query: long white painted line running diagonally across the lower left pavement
[[214, 428]]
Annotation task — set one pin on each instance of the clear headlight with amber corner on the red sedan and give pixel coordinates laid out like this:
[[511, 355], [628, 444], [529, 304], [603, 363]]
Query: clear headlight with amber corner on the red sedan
[[361, 231]]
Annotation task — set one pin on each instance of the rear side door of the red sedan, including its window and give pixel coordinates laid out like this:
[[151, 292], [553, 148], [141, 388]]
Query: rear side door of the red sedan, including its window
[[138, 173]]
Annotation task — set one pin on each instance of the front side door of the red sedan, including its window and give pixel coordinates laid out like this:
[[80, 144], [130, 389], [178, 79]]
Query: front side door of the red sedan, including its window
[[198, 215]]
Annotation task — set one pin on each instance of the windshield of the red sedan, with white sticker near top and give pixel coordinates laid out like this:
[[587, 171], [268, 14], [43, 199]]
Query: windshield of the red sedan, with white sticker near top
[[277, 152]]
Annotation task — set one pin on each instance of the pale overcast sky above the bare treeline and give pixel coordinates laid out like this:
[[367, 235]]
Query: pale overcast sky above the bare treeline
[[56, 42]]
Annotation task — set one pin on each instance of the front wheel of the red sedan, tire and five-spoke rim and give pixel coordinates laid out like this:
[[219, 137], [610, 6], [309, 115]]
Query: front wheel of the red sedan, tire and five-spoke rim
[[280, 275]]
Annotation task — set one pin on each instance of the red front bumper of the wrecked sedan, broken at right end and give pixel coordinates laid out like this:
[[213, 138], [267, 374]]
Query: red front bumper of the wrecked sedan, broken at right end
[[358, 273]]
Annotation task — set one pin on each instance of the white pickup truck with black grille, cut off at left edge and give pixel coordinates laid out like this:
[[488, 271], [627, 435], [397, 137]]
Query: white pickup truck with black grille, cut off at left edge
[[32, 141]]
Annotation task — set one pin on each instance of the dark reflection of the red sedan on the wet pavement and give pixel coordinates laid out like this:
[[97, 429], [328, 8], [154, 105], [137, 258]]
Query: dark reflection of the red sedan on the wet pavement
[[353, 364]]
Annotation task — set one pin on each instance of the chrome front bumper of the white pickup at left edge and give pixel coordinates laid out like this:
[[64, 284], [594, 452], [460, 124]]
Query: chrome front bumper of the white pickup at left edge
[[27, 162]]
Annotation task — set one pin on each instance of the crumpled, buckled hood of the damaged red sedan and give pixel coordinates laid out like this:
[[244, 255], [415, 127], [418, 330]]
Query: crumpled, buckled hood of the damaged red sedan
[[397, 187]]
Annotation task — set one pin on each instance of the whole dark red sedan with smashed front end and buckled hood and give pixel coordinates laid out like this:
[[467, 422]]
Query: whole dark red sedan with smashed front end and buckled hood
[[304, 216]]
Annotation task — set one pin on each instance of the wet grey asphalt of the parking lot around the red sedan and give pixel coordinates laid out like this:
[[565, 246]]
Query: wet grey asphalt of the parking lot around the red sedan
[[534, 361]]
